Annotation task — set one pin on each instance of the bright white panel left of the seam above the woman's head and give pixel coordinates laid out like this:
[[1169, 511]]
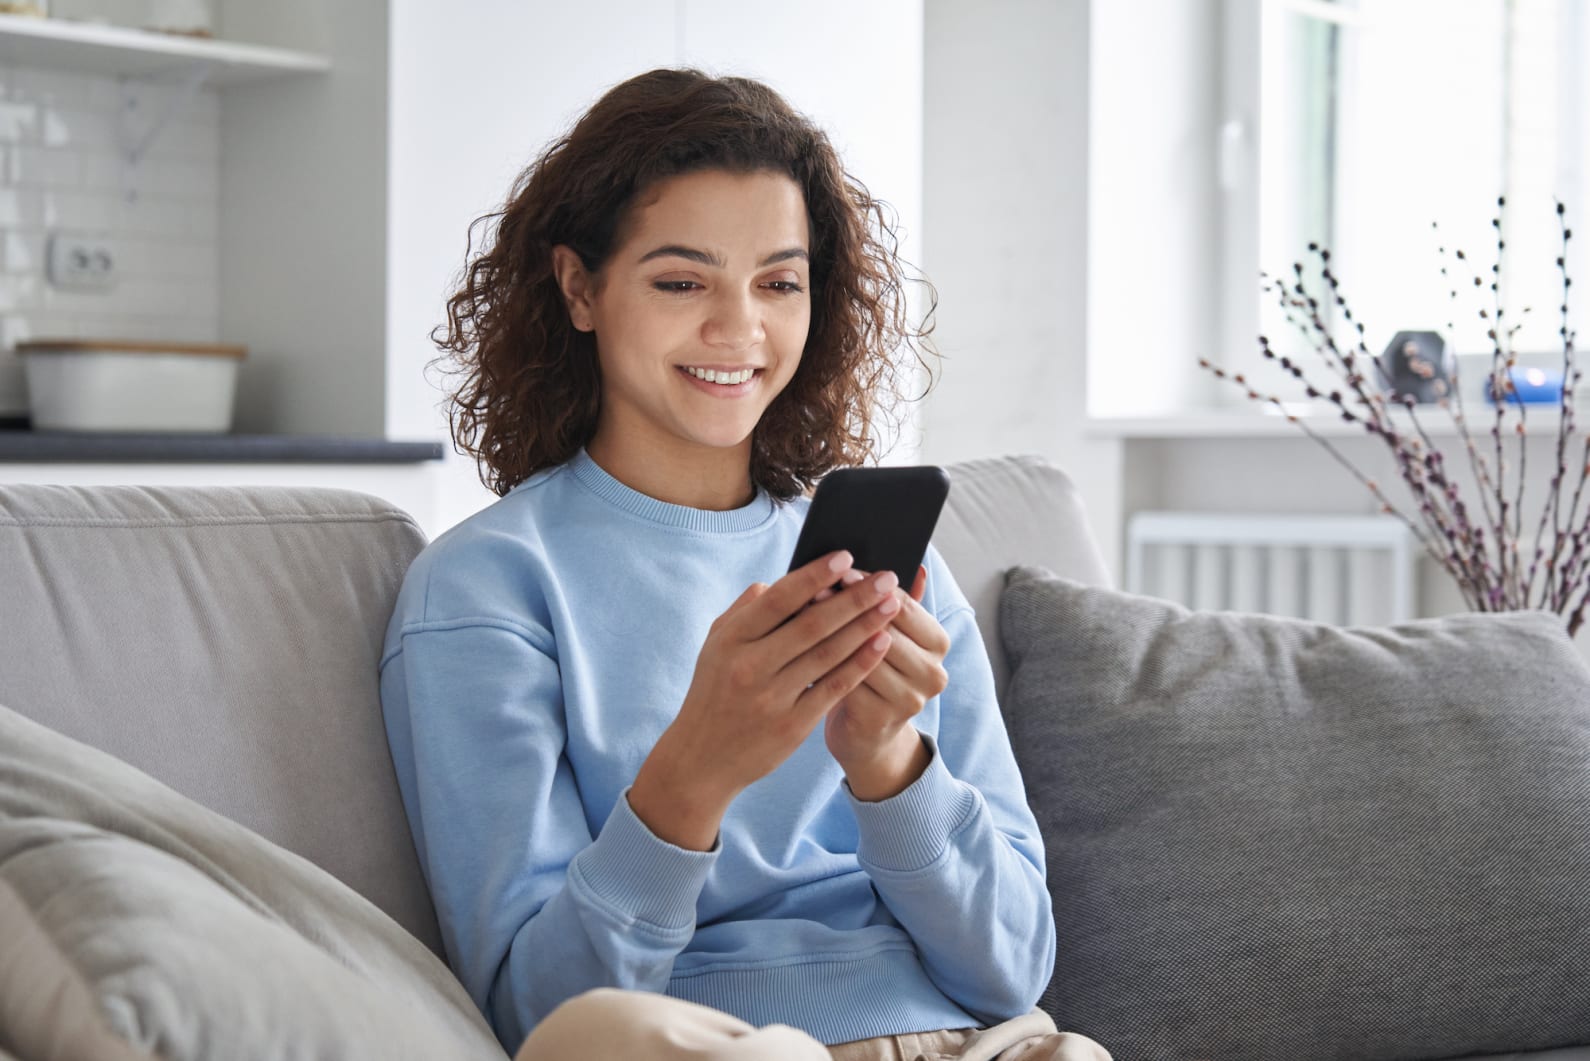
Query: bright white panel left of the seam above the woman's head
[[470, 111]]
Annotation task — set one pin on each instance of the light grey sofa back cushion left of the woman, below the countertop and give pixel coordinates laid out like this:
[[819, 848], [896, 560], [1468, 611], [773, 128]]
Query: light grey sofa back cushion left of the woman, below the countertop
[[225, 642]]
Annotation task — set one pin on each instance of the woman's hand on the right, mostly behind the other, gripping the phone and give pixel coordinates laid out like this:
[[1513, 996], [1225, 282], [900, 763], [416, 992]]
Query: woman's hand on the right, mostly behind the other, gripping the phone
[[872, 734]]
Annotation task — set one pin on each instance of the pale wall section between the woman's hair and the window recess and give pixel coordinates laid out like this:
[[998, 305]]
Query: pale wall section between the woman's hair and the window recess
[[1006, 241]]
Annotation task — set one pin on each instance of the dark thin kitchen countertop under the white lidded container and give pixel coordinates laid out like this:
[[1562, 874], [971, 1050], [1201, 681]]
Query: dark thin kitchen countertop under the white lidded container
[[209, 449]]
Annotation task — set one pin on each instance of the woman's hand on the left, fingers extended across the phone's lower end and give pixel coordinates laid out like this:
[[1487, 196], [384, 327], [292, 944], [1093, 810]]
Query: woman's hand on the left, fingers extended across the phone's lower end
[[774, 666]]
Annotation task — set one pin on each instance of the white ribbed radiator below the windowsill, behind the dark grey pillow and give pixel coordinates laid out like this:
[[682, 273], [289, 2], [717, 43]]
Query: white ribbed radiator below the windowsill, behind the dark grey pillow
[[1354, 570]]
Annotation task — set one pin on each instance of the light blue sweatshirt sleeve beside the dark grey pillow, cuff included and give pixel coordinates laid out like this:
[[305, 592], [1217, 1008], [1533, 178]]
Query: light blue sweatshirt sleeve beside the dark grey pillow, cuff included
[[958, 857]]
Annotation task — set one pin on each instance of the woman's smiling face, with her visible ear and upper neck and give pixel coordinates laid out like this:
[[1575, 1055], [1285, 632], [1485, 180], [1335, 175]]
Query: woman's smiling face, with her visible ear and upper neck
[[700, 313]]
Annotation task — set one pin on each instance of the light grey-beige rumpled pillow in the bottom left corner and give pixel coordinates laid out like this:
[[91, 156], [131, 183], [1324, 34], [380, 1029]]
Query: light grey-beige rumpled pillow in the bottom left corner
[[136, 923]]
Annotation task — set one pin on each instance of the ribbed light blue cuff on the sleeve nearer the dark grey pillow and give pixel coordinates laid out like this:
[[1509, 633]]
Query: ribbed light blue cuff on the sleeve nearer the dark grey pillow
[[912, 831]]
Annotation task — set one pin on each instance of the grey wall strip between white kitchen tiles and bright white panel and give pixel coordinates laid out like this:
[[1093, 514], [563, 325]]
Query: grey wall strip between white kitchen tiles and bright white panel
[[304, 223]]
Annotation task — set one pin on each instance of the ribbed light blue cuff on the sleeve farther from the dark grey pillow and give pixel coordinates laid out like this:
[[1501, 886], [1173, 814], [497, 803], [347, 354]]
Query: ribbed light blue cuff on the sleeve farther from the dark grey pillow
[[640, 877]]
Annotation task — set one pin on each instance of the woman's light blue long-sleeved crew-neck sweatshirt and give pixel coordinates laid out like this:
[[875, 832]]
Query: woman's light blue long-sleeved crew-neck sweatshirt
[[537, 655]]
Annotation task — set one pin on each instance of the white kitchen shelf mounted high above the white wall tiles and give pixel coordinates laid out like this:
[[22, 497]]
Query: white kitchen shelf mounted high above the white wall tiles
[[120, 52]]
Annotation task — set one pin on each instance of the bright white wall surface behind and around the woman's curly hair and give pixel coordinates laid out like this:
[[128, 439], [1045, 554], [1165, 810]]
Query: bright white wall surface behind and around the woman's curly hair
[[479, 90]]
